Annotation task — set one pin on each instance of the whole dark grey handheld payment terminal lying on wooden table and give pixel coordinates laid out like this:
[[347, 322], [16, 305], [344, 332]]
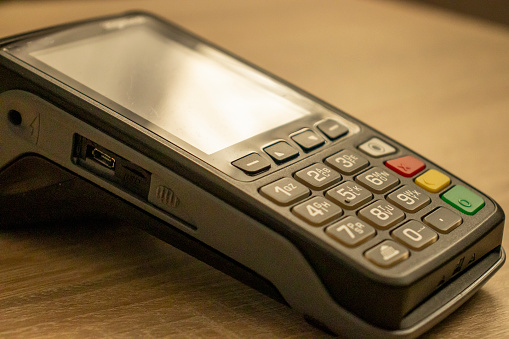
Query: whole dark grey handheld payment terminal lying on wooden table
[[132, 117]]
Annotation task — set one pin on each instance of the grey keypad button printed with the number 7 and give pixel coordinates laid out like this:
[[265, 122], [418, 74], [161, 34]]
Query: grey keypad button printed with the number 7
[[351, 231]]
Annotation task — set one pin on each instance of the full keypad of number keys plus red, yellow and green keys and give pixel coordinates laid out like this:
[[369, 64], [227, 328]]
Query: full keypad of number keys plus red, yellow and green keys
[[359, 197]]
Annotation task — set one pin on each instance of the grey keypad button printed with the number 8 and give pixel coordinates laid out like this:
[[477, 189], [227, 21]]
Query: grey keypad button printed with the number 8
[[381, 214]]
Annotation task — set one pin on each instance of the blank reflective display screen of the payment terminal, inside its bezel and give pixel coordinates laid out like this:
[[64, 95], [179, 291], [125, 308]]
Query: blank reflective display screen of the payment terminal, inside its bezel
[[195, 93]]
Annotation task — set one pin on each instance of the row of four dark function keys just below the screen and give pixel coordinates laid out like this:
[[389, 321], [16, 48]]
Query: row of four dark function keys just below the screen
[[281, 151]]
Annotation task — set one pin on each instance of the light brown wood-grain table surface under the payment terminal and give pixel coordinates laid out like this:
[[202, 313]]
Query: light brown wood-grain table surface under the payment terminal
[[434, 81]]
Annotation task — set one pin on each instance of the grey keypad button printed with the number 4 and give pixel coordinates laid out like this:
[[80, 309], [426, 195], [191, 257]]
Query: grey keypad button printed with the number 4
[[317, 211]]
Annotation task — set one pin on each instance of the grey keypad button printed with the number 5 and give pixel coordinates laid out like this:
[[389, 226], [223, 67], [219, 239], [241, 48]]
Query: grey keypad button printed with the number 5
[[349, 195]]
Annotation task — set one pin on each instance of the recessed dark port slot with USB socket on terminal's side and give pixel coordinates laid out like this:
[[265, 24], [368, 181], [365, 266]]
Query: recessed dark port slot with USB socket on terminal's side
[[110, 166]]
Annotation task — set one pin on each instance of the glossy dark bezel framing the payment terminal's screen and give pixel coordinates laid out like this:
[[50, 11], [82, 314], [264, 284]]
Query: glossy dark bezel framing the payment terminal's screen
[[221, 159]]
